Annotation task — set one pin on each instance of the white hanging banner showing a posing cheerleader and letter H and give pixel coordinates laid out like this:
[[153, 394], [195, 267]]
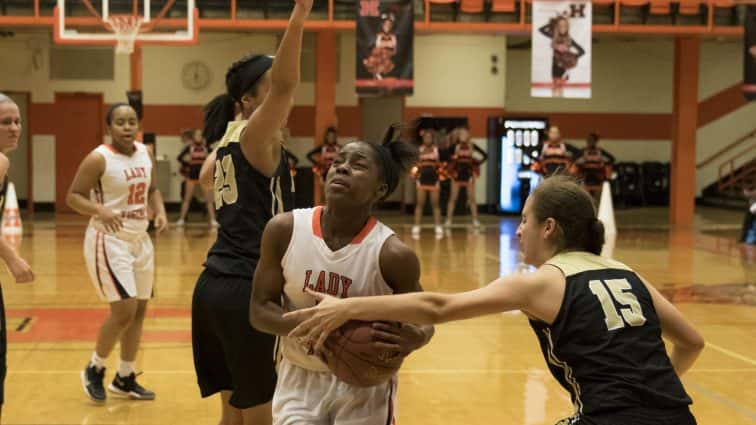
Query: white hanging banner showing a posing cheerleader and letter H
[[561, 59]]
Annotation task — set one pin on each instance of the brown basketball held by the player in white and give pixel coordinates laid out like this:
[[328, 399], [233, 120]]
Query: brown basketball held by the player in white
[[354, 360]]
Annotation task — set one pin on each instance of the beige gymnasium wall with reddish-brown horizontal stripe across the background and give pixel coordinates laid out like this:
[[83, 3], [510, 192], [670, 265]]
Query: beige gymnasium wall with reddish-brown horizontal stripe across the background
[[631, 105]]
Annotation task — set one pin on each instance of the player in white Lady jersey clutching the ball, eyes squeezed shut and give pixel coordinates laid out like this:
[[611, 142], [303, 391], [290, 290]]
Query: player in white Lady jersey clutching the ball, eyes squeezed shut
[[342, 250]]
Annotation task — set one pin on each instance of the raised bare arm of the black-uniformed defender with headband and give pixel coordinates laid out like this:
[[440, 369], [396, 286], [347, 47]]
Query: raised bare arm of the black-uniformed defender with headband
[[258, 143]]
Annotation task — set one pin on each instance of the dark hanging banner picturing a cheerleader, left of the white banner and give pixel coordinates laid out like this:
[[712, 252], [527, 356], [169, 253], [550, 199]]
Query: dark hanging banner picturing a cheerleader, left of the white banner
[[385, 34]]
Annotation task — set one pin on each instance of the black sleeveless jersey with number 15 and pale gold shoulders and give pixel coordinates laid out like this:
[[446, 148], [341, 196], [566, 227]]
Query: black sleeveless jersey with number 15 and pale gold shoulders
[[605, 346]]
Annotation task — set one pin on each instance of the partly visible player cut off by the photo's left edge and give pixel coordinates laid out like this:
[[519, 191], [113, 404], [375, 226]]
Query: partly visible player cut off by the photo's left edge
[[10, 133]]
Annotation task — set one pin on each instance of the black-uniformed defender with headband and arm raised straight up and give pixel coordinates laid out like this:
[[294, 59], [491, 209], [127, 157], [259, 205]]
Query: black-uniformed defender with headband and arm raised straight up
[[252, 183]]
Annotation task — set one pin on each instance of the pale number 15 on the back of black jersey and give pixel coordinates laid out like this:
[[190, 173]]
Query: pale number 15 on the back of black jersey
[[631, 310]]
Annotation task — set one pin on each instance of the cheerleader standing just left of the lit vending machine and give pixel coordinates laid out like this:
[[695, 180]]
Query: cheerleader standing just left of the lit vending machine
[[464, 171]]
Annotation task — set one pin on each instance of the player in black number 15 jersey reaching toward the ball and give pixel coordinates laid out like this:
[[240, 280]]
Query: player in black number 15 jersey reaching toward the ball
[[600, 324]]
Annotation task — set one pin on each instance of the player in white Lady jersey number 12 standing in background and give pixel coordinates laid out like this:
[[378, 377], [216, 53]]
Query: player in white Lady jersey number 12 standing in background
[[114, 185]]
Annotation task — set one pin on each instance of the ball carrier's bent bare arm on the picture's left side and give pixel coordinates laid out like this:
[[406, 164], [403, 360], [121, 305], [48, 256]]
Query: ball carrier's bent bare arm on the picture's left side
[[265, 310]]
